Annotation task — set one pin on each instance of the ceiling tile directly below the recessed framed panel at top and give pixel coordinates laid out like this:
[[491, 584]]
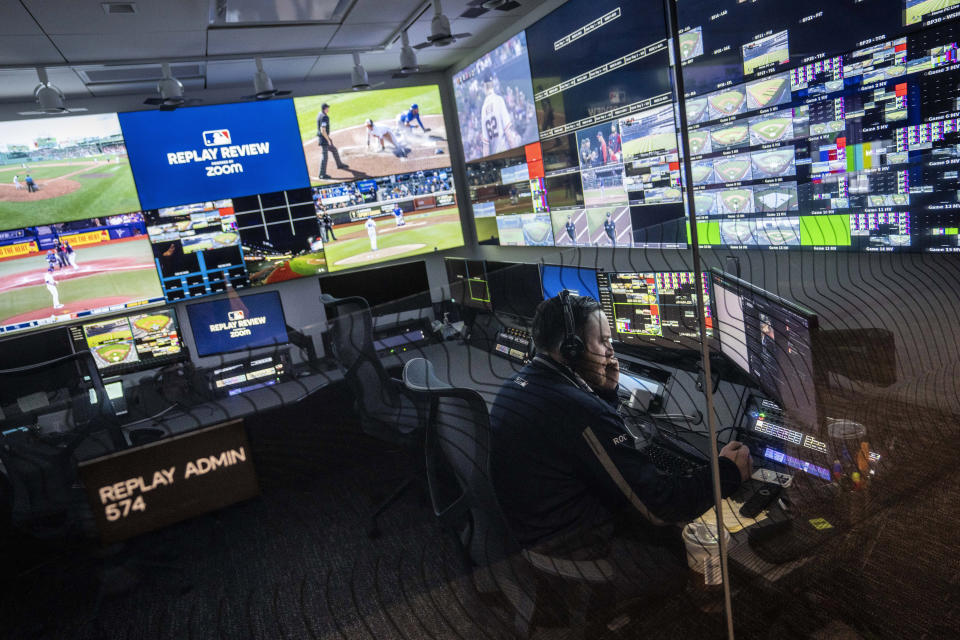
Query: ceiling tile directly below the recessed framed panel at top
[[255, 40]]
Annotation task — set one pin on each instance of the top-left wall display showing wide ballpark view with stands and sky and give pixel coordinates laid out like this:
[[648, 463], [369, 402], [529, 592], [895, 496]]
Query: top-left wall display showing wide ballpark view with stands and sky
[[63, 169]]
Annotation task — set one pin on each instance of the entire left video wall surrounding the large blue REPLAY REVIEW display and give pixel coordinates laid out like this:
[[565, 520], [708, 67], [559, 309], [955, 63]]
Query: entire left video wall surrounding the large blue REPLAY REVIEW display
[[102, 213]]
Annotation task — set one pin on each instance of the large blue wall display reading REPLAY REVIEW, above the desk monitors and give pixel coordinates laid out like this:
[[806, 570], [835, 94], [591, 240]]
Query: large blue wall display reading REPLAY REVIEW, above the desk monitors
[[209, 153]]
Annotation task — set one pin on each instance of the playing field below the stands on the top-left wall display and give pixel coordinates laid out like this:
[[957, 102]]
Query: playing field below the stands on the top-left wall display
[[68, 189]]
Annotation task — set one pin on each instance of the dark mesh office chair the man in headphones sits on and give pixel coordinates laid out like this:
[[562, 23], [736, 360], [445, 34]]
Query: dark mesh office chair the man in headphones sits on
[[458, 433]]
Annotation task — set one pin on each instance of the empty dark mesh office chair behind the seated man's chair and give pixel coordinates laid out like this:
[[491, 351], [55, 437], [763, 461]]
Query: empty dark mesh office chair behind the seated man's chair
[[387, 410]]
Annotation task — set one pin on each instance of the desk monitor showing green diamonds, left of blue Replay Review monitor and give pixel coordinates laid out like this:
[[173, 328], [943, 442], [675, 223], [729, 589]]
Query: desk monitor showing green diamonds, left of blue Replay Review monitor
[[131, 342]]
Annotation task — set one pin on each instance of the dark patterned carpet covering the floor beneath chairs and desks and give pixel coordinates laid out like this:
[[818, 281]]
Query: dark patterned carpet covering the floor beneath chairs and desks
[[296, 563]]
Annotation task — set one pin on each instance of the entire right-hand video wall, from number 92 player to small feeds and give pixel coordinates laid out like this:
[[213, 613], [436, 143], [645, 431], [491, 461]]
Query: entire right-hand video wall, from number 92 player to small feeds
[[815, 126]]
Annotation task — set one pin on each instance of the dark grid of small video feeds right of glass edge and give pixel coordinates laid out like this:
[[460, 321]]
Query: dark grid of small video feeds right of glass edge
[[851, 146]]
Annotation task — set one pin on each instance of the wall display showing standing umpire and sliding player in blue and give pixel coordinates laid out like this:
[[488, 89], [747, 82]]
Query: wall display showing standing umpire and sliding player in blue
[[368, 134]]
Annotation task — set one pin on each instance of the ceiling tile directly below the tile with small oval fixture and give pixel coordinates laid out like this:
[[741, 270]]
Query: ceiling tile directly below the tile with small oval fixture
[[131, 46]]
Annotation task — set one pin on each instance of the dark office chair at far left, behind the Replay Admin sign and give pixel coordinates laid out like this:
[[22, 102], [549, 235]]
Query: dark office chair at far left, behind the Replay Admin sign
[[45, 500]]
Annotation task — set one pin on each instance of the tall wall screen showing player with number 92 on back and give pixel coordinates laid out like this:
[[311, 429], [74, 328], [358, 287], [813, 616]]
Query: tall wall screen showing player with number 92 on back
[[494, 98]]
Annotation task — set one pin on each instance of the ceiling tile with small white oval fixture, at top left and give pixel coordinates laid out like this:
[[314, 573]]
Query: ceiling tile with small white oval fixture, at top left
[[87, 17]]
